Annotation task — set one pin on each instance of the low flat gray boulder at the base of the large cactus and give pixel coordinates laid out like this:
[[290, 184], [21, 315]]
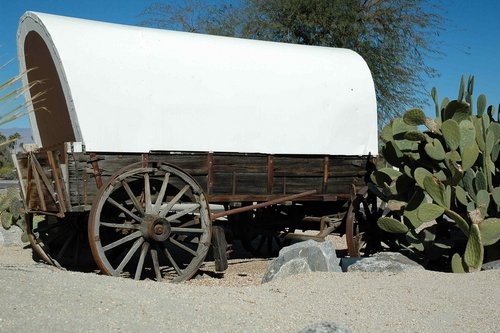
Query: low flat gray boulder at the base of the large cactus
[[384, 262]]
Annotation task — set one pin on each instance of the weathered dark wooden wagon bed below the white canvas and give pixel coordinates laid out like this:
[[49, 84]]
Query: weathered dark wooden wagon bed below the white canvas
[[67, 182]]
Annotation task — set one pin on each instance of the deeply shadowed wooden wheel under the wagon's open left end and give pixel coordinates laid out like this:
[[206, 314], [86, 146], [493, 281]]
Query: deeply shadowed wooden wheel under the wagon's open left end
[[61, 242]]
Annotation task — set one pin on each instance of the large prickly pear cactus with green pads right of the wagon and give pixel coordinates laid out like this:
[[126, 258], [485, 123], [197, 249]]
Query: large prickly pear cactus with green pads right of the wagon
[[451, 174]]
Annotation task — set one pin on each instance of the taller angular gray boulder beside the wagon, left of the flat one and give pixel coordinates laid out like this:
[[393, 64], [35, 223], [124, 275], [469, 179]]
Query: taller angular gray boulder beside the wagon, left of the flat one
[[303, 257]]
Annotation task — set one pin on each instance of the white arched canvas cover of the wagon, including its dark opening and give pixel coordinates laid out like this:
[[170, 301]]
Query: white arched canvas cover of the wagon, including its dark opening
[[120, 88]]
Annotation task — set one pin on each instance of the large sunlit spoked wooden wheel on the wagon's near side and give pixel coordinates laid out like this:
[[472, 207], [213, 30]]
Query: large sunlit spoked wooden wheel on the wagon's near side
[[150, 222]]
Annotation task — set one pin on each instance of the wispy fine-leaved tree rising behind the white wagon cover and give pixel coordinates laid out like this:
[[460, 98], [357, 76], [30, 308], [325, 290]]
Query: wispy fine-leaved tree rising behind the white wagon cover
[[395, 37]]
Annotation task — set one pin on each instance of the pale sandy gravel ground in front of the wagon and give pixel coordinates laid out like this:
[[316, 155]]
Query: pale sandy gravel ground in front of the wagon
[[37, 297]]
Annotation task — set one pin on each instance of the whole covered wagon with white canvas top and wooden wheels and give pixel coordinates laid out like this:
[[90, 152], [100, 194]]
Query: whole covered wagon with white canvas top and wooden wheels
[[152, 139]]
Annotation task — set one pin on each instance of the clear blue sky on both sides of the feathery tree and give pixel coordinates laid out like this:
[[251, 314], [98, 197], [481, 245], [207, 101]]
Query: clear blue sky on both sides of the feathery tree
[[470, 42]]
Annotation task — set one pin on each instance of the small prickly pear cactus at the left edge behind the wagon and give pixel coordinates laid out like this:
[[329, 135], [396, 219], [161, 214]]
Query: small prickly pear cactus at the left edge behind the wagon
[[12, 211]]
